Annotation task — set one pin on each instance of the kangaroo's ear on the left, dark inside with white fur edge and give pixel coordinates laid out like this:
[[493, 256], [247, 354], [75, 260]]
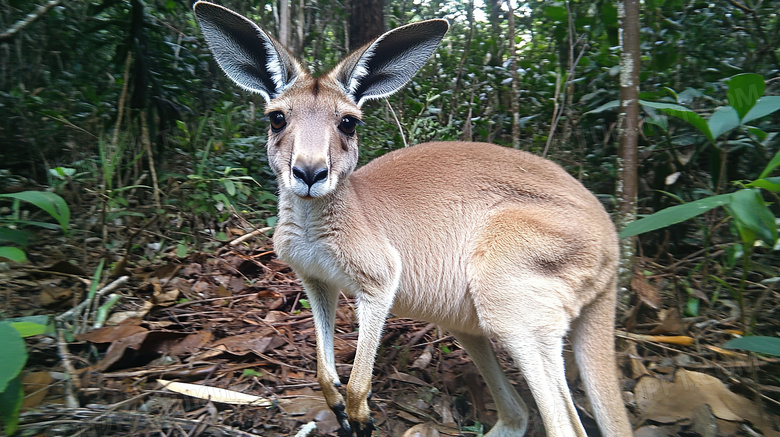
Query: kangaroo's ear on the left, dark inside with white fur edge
[[247, 55]]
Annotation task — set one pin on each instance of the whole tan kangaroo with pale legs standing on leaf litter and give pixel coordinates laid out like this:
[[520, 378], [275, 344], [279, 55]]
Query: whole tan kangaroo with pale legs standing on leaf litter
[[483, 240]]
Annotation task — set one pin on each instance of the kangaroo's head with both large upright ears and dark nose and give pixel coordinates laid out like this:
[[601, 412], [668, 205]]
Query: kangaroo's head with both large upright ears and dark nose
[[312, 143]]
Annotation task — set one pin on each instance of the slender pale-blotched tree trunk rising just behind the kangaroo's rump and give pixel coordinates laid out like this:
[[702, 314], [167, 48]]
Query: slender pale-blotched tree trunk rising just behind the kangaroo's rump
[[628, 125]]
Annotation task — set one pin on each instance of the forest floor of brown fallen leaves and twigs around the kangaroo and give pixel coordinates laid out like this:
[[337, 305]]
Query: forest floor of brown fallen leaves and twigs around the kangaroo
[[233, 317]]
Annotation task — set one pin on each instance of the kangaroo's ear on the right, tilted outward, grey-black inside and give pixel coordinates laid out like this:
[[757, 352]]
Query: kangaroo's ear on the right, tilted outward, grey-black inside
[[383, 66]]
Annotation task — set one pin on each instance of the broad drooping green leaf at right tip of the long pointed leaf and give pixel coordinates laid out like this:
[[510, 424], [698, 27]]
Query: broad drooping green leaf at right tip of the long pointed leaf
[[748, 208]]
